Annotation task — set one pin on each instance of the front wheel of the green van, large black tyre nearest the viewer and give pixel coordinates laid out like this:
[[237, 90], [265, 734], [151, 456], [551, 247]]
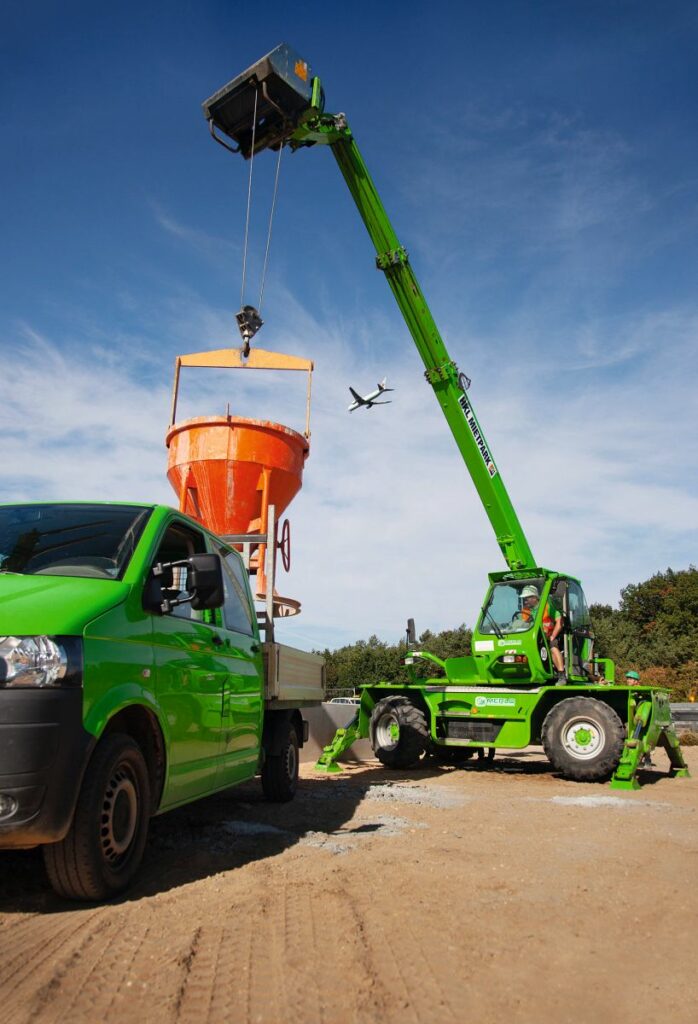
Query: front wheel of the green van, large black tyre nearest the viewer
[[105, 846]]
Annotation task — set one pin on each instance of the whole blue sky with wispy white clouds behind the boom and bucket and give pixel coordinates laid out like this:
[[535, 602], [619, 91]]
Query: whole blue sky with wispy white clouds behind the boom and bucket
[[539, 161]]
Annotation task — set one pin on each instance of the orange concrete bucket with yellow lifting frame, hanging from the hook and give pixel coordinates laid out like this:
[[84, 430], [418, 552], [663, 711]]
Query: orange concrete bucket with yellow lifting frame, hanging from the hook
[[238, 476]]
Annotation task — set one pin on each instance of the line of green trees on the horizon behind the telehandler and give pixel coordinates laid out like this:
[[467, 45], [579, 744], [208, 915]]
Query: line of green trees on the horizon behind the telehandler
[[655, 631]]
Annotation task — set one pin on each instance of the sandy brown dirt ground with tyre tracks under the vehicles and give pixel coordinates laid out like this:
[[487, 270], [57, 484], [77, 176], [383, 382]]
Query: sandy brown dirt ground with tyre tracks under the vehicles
[[473, 894]]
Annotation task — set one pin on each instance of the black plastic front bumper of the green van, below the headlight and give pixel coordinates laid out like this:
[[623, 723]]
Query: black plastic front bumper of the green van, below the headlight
[[43, 753]]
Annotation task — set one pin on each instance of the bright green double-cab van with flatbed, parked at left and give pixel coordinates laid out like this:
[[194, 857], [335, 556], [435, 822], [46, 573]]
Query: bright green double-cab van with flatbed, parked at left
[[133, 680]]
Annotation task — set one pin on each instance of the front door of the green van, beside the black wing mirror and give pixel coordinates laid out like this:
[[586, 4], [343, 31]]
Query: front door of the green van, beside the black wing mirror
[[191, 667]]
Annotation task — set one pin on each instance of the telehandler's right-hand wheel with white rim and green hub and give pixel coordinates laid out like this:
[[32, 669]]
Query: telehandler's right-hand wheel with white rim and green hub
[[584, 739]]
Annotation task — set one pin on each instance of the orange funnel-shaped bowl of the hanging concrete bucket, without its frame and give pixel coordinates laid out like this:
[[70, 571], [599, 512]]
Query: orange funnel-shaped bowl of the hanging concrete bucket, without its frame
[[228, 471]]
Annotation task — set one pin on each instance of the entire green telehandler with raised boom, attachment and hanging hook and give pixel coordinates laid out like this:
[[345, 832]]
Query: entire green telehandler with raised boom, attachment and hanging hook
[[533, 676]]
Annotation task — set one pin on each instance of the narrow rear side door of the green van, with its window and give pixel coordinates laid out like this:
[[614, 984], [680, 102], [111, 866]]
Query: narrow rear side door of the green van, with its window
[[244, 685]]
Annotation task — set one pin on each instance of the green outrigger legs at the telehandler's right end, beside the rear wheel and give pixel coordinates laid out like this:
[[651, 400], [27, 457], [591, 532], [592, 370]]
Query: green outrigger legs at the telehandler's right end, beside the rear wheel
[[653, 728]]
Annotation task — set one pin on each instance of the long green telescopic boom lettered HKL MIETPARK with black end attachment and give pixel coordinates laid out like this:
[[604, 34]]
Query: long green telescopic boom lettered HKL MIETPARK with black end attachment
[[278, 103]]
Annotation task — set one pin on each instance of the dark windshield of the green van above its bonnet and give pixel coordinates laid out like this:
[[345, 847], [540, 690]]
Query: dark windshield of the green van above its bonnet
[[70, 540]]
